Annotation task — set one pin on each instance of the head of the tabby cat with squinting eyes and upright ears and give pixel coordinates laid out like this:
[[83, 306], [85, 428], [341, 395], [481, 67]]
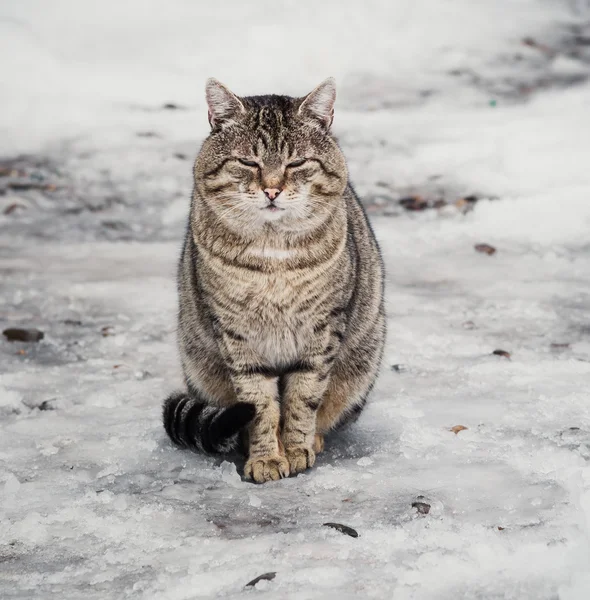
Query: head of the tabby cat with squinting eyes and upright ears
[[270, 161]]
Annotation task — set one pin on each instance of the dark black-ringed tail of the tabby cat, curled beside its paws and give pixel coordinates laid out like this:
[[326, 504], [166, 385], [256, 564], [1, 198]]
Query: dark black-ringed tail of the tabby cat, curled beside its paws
[[192, 423]]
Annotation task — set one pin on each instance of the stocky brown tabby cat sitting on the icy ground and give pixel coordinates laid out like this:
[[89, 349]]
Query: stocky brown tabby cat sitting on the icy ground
[[281, 319]]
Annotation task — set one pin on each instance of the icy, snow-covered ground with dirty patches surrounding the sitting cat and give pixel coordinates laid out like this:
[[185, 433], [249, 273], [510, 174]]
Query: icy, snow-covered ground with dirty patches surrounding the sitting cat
[[438, 99]]
